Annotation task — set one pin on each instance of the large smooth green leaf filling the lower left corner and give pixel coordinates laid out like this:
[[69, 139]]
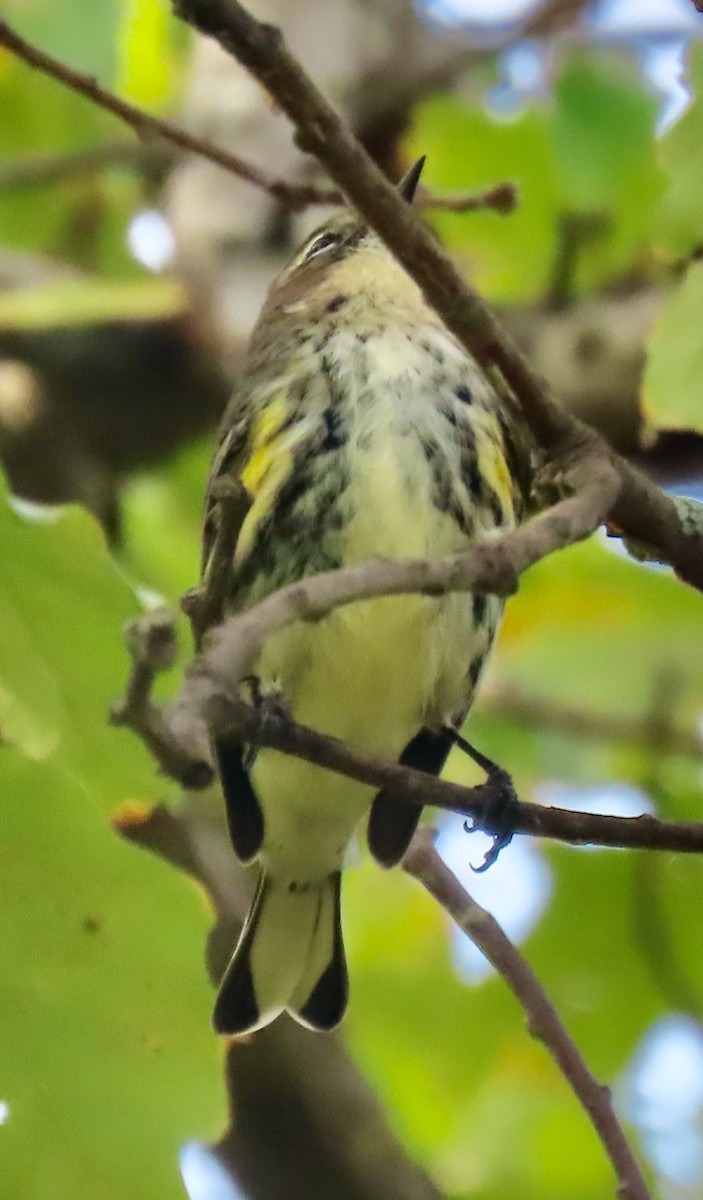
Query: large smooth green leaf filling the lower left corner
[[109, 1063]]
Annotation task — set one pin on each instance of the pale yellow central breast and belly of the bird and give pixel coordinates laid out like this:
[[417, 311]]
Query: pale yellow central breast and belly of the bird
[[374, 673]]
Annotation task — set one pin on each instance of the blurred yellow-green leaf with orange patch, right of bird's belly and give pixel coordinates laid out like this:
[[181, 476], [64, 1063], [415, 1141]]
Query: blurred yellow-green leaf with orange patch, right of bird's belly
[[586, 609]]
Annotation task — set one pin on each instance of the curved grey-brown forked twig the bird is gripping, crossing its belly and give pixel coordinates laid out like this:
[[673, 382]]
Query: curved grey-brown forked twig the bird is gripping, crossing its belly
[[209, 700]]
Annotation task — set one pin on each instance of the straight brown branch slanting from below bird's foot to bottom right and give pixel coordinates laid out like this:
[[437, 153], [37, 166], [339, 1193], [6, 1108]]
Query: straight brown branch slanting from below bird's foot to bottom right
[[425, 865]]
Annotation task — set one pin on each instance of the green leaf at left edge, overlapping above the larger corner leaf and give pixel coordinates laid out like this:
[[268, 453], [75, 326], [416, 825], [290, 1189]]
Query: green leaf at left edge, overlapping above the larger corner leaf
[[63, 607]]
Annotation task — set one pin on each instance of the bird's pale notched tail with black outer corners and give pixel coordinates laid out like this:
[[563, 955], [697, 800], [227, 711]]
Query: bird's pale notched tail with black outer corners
[[290, 956]]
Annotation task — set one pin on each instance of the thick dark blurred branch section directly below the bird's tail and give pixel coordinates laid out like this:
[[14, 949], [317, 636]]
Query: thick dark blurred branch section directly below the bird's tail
[[307, 1124]]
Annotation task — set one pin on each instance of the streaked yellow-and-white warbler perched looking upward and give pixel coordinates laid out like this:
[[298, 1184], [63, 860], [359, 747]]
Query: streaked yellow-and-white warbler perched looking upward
[[362, 429]]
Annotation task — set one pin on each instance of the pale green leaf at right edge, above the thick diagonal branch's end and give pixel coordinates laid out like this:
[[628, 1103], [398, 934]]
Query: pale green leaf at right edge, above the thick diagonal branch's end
[[672, 397]]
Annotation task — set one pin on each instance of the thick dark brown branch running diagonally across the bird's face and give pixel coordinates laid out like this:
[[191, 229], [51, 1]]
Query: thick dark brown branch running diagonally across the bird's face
[[640, 509]]
